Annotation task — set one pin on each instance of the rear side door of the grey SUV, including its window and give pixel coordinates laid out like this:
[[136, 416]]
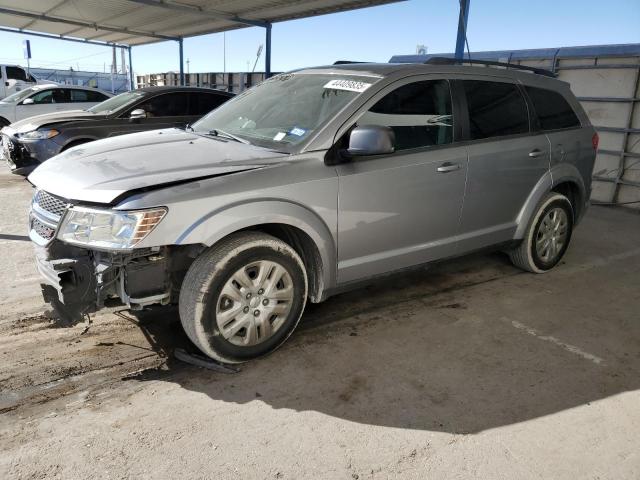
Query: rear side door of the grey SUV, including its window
[[506, 160]]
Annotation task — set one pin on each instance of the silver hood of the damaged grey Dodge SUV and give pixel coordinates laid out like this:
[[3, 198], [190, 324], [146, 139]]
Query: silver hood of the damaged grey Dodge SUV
[[103, 170]]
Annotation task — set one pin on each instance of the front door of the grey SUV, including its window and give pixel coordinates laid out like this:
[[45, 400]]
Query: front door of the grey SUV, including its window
[[403, 209]]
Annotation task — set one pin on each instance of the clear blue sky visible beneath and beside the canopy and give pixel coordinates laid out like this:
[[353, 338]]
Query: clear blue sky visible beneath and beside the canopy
[[373, 34]]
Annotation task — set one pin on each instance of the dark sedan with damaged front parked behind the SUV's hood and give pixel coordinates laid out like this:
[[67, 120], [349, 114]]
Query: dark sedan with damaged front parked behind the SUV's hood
[[29, 142]]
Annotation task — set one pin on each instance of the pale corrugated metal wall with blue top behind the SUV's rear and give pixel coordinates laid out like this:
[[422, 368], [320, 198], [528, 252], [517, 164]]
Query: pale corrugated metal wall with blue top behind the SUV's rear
[[606, 80]]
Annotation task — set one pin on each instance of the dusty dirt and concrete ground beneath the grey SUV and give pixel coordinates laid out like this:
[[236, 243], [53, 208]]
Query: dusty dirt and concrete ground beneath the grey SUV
[[470, 369]]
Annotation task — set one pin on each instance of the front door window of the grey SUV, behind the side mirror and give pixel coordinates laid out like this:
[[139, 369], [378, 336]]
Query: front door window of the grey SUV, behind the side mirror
[[419, 114]]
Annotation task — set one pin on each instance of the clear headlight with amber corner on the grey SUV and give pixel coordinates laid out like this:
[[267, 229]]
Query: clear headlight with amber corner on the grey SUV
[[110, 229]]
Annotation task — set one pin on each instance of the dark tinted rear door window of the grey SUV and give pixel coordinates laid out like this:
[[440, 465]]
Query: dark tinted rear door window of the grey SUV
[[495, 109]]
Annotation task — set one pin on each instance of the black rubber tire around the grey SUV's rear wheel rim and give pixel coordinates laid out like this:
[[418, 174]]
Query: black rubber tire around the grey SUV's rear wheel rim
[[525, 255]]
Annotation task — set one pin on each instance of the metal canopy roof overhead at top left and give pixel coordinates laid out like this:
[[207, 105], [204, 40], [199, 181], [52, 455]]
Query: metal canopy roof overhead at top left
[[139, 22]]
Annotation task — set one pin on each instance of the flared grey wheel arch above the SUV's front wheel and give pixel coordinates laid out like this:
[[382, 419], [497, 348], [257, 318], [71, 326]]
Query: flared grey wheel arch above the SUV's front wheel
[[217, 224]]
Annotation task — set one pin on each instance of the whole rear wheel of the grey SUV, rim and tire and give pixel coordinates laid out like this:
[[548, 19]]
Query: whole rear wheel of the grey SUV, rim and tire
[[547, 236]]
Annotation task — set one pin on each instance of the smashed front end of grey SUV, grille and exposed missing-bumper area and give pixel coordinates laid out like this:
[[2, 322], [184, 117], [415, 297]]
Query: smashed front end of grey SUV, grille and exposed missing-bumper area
[[78, 280]]
